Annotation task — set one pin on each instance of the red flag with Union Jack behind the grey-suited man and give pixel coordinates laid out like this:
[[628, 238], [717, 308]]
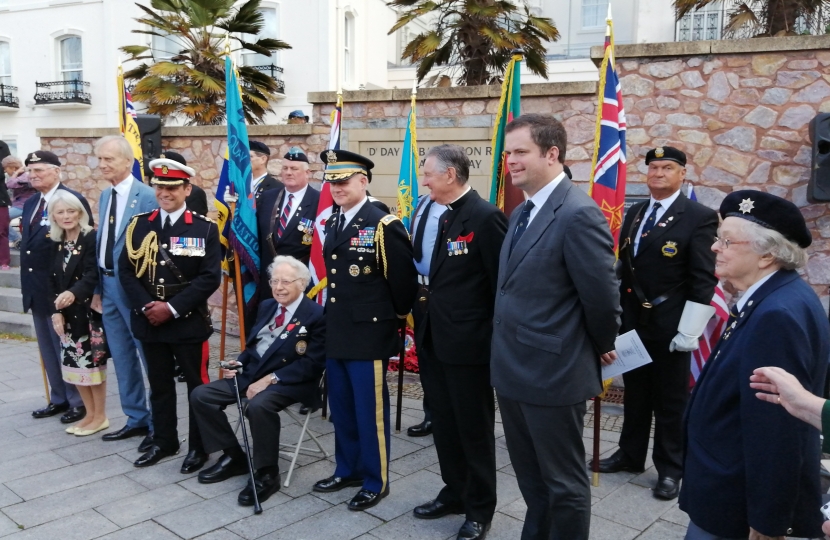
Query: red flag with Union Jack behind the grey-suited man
[[608, 166]]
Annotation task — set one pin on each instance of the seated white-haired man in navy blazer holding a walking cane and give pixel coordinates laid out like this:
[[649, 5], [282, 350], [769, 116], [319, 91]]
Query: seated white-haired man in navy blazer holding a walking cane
[[282, 364]]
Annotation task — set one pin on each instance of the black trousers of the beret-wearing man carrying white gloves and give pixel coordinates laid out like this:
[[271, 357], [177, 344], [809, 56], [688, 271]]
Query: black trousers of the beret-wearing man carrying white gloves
[[661, 388]]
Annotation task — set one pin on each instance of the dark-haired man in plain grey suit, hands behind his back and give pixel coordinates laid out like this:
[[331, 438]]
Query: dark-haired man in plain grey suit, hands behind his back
[[557, 314]]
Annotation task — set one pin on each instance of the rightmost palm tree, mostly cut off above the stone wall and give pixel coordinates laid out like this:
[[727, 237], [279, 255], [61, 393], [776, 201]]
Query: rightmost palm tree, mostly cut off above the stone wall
[[763, 17]]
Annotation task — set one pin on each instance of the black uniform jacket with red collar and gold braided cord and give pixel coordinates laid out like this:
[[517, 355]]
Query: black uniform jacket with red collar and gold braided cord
[[203, 274]]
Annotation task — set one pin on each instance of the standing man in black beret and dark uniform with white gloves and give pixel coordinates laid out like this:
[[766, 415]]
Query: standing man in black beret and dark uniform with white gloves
[[667, 264]]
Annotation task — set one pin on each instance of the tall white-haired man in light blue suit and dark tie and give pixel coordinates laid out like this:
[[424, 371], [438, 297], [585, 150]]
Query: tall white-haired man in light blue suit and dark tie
[[131, 197]]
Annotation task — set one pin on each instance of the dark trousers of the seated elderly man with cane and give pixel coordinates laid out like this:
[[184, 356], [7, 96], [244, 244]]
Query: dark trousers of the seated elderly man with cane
[[207, 404]]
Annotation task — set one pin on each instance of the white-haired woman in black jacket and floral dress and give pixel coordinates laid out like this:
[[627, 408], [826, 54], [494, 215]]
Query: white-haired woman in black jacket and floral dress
[[72, 282]]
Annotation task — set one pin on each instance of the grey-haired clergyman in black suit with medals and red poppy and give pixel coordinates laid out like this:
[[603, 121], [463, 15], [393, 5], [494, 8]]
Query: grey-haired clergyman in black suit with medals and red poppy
[[453, 342]]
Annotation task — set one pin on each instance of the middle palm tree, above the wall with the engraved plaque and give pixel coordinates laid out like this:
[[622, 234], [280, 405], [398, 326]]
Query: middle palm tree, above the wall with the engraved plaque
[[474, 39]]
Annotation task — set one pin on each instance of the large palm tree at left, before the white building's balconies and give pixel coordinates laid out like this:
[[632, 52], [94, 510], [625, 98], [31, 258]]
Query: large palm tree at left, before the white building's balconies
[[191, 83]]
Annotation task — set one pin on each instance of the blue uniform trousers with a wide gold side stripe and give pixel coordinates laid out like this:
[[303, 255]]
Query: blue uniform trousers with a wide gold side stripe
[[359, 399]]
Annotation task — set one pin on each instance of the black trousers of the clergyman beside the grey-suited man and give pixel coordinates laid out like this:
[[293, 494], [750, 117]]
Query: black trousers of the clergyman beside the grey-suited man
[[463, 429]]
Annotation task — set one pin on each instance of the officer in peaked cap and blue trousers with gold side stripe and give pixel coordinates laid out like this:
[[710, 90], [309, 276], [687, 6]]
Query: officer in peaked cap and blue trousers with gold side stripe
[[371, 287]]
